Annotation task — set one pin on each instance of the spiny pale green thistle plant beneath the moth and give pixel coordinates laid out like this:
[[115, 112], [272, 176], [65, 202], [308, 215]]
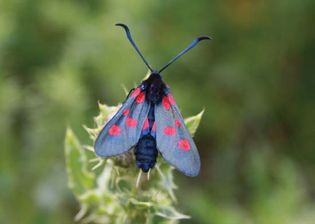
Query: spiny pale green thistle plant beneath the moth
[[106, 188]]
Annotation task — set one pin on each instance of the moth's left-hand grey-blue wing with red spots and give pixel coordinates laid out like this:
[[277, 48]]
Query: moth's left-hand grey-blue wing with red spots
[[123, 131]]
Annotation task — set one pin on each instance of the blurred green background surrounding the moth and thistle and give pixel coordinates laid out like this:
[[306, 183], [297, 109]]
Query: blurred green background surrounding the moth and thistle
[[255, 80]]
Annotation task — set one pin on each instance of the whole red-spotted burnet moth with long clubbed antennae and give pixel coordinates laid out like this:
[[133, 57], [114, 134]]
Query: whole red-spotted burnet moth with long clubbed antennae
[[150, 122]]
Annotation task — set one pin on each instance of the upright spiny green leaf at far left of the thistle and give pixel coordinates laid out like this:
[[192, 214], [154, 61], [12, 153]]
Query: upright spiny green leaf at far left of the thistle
[[79, 178]]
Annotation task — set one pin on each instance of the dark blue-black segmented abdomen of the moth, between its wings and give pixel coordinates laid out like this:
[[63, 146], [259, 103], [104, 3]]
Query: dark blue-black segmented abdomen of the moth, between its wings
[[146, 153]]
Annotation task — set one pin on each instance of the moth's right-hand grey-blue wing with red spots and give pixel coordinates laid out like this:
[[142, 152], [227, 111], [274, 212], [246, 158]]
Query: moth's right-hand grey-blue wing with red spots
[[173, 138]]
